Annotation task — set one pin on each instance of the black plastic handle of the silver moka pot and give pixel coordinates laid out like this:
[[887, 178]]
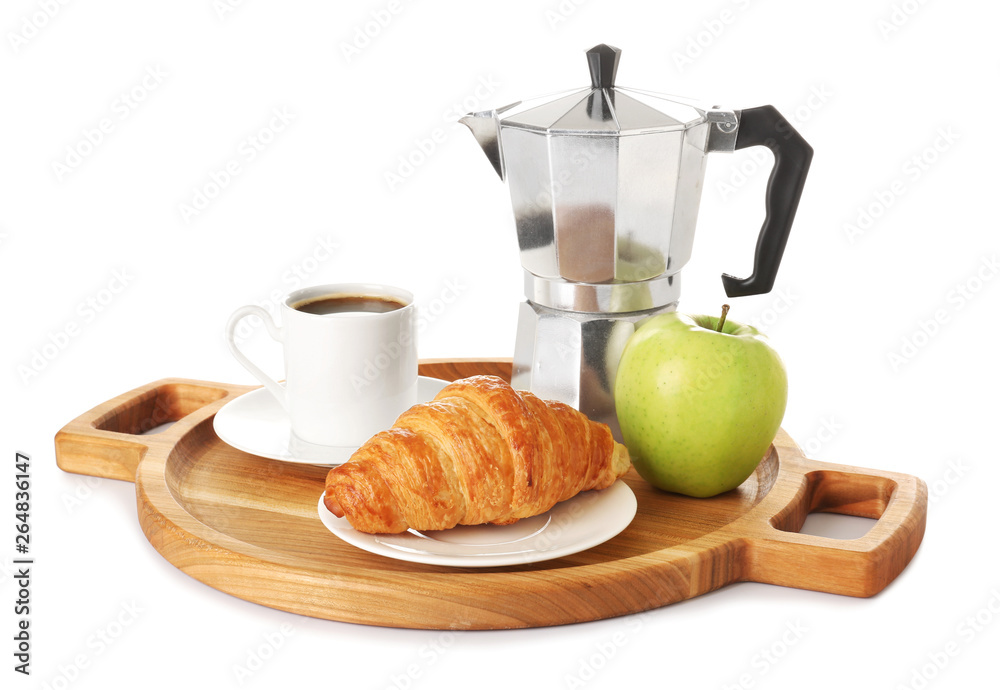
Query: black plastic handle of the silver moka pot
[[765, 126]]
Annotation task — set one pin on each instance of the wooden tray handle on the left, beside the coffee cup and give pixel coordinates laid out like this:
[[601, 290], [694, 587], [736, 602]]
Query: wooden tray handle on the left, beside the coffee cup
[[110, 439]]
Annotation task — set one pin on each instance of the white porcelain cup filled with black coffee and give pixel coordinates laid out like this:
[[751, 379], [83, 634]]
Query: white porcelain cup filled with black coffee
[[349, 374]]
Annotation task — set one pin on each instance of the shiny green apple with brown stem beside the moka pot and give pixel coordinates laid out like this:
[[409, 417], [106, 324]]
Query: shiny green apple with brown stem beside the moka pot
[[698, 407]]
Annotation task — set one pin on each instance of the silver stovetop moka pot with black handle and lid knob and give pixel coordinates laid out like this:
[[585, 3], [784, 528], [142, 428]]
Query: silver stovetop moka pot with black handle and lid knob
[[606, 183]]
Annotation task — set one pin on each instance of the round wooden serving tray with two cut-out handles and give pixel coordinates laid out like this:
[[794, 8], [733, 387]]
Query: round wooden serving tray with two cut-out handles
[[249, 526]]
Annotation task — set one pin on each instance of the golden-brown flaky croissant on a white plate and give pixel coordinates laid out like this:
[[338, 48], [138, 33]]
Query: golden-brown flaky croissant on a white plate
[[480, 452]]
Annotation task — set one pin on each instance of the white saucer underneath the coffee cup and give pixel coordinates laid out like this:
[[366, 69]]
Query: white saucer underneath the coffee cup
[[257, 424]]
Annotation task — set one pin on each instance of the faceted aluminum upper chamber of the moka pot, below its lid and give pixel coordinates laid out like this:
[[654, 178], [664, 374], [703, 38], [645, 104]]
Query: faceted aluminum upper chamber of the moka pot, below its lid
[[604, 210]]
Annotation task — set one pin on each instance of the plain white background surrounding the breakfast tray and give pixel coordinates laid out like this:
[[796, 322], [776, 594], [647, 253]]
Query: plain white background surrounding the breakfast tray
[[871, 85]]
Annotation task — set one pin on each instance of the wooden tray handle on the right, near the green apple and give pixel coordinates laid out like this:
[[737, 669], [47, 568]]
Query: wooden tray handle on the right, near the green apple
[[778, 554]]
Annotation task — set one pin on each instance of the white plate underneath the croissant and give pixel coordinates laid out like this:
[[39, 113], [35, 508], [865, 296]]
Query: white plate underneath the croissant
[[582, 522]]
